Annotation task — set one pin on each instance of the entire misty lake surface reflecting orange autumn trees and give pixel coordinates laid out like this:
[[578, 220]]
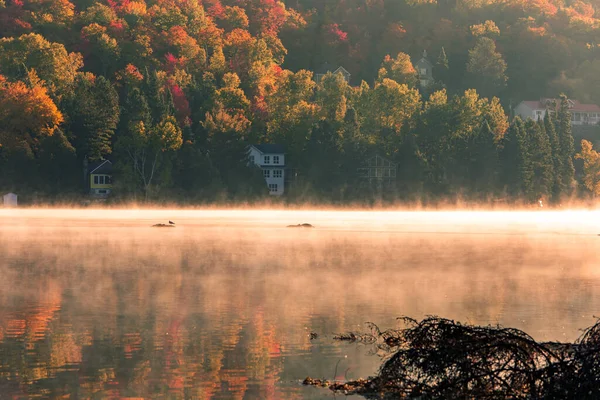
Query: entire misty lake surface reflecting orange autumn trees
[[96, 304]]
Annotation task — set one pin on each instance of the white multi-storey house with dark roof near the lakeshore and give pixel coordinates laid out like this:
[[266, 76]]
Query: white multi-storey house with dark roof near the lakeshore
[[271, 159]]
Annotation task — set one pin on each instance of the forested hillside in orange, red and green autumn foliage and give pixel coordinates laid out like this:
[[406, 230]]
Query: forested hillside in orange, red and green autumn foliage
[[172, 91]]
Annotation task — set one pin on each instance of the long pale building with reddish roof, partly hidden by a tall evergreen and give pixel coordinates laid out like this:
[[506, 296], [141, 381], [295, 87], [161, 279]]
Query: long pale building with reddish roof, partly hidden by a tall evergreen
[[581, 114]]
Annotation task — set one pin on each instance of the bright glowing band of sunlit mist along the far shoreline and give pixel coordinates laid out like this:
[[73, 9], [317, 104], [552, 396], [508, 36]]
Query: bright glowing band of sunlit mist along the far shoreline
[[525, 222]]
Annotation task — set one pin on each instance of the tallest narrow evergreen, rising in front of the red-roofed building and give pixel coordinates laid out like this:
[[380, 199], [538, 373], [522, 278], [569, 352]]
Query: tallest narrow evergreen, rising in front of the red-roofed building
[[566, 148]]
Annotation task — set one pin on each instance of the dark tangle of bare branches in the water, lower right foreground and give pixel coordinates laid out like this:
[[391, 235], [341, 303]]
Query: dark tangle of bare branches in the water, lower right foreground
[[438, 358]]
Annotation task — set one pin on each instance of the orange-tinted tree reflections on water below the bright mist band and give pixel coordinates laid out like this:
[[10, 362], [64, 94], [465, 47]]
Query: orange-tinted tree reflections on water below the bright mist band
[[212, 317]]
